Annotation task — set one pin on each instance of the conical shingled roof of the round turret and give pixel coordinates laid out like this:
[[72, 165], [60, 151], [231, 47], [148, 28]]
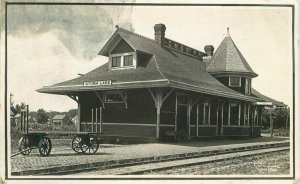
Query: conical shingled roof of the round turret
[[228, 59]]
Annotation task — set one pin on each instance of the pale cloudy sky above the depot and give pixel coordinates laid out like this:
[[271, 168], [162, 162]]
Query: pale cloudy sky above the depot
[[48, 44]]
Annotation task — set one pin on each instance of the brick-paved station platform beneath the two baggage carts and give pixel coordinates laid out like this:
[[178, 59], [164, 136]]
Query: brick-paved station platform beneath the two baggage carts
[[62, 158]]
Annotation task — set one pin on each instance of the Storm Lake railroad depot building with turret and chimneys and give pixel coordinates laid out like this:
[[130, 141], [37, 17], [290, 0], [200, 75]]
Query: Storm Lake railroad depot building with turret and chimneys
[[155, 88]]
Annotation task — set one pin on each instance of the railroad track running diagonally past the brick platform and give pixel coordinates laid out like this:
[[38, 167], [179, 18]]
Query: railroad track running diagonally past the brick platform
[[141, 165]]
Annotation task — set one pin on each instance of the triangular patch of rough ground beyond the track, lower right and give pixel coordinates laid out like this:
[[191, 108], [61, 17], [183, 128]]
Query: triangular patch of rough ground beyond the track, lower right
[[267, 164]]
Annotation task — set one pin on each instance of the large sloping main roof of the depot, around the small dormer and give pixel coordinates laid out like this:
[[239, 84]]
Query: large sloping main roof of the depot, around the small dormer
[[166, 68]]
